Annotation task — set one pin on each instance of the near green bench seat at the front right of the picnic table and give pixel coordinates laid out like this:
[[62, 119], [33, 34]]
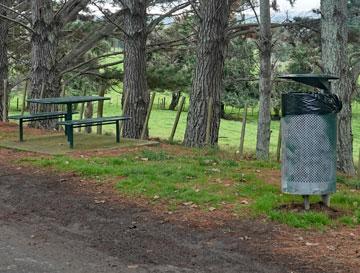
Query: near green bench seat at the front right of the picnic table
[[71, 124]]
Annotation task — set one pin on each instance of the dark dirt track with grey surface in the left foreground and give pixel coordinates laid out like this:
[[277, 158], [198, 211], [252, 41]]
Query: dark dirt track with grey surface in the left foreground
[[50, 223]]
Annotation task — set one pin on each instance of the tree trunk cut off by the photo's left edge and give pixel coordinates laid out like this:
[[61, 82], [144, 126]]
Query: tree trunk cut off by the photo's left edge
[[4, 28]]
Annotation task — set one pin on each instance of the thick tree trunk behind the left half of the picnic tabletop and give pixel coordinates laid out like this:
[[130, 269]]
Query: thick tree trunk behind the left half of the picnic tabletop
[[43, 62]]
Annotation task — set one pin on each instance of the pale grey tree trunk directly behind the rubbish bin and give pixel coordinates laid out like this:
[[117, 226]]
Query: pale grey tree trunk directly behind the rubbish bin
[[334, 37]]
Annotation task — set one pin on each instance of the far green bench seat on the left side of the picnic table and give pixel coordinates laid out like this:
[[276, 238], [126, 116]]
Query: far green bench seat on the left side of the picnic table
[[36, 117]]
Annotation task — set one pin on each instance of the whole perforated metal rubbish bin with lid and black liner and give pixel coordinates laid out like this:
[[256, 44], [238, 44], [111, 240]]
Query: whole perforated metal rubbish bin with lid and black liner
[[308, 129]]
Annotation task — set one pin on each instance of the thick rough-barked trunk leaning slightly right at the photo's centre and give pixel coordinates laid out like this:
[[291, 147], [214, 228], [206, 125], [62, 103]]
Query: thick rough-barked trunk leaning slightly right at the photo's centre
[[208, 77]]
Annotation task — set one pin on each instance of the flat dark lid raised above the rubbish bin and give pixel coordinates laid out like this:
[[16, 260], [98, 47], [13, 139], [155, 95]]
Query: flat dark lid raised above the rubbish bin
[[315, 80]]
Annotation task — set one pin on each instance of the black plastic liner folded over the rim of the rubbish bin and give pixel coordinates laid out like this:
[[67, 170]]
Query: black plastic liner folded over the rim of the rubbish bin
[[299, 103]]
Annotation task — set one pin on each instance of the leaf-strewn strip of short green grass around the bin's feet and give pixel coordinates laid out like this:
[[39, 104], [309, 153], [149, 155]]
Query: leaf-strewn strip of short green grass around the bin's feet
[[208, 180]]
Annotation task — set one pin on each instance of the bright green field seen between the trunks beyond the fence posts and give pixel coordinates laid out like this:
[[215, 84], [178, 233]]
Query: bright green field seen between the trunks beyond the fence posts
[[161, 122]]
